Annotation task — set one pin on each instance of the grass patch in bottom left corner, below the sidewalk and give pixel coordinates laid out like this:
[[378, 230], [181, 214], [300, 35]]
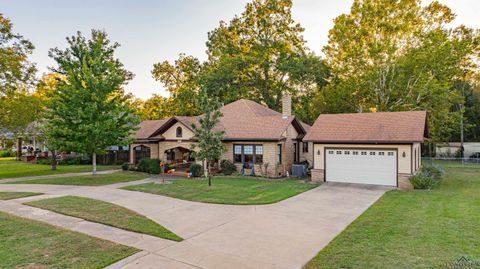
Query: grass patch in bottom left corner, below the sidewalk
[[31, 244]]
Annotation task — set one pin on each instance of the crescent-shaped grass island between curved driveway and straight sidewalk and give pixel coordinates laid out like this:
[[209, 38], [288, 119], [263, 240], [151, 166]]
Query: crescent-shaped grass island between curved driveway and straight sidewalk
[[105, 213]]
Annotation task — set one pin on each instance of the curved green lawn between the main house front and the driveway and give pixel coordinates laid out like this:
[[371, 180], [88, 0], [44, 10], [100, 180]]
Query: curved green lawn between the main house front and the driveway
[[238, 191]]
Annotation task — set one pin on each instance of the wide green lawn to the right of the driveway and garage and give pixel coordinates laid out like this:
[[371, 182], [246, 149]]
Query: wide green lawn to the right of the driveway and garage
[[413, 229]]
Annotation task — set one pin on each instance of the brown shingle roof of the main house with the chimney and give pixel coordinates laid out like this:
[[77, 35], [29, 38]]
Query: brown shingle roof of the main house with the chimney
[[241, 120]]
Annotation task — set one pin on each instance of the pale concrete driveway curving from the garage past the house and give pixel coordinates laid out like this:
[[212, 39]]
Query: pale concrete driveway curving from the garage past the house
[[282, 235]]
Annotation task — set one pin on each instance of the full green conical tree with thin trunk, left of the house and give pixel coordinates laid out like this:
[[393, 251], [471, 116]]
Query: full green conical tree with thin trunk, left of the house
[[89, 110]]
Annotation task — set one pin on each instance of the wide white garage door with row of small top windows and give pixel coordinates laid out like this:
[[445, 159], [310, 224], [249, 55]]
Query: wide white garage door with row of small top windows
[[364, 166]]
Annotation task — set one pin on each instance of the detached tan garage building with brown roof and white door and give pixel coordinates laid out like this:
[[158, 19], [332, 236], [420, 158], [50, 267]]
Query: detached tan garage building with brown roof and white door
[[371, 148]]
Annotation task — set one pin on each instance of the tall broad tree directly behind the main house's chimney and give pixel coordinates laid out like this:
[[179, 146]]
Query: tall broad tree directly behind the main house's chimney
[[261, 55]]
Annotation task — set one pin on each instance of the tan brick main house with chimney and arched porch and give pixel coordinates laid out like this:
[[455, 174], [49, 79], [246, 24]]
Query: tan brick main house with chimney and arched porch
[[253, 134]]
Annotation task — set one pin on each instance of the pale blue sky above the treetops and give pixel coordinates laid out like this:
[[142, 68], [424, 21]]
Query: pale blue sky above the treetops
[[154, 31]]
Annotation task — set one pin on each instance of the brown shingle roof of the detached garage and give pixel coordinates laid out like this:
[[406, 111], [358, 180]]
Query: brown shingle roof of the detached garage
[[380, 127]]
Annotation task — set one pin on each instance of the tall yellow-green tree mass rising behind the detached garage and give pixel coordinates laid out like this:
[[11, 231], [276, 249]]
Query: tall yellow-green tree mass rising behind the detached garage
[[394, 55]]
